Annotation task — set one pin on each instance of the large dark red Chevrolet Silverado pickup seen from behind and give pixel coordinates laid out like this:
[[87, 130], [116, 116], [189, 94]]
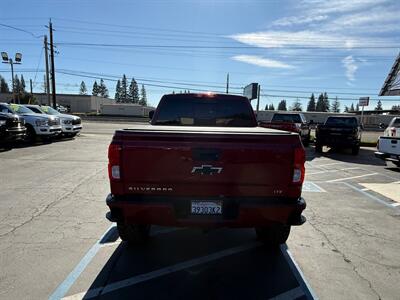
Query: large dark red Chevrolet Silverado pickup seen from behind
[[203, 162]]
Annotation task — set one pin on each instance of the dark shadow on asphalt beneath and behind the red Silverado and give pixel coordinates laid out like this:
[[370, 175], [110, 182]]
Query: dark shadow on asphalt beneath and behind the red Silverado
[[190, 264]]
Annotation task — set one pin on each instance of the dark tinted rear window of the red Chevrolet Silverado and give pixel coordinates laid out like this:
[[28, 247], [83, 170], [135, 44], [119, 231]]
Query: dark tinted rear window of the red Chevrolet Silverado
[[203, 111]]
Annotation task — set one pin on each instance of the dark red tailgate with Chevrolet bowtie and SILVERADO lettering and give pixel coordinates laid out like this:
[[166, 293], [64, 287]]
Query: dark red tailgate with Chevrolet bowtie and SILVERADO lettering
[[209, 164]]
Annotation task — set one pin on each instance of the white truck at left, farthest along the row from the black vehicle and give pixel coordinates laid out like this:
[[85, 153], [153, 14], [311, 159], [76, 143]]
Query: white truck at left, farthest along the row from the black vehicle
[[70, 125]]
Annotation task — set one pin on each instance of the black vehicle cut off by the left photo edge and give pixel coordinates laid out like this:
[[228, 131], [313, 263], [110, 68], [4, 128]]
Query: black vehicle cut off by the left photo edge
[[12, 127]]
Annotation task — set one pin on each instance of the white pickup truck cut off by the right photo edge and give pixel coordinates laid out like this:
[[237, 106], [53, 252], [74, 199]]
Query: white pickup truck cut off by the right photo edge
[[389, 144]]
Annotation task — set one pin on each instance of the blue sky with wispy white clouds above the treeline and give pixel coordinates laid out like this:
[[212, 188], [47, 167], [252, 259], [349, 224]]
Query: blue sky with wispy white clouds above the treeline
[[292, 48]]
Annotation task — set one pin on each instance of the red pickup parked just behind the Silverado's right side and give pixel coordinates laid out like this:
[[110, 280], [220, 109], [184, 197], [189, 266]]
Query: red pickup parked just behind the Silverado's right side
[[293, 122]]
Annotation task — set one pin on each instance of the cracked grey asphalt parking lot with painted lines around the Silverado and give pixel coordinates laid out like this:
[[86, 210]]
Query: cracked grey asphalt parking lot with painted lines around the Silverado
[[56, 243]]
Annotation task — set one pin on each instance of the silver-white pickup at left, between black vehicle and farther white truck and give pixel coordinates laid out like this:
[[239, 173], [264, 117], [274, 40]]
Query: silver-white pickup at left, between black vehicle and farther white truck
[[37, 125]]
